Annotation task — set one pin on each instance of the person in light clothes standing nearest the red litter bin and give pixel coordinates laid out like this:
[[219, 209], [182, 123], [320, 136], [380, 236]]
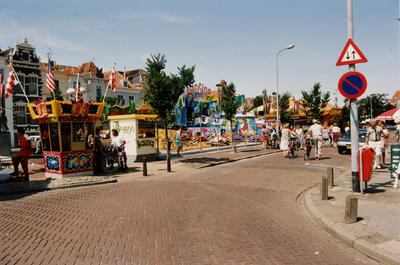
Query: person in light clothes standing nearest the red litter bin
[[373, 139]]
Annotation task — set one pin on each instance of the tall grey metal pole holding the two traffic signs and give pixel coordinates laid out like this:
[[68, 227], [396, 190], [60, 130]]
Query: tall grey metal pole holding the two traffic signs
[[353, 110]]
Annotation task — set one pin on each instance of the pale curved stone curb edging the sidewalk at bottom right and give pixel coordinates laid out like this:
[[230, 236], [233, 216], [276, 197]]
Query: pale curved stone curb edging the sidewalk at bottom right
[[369, 249]]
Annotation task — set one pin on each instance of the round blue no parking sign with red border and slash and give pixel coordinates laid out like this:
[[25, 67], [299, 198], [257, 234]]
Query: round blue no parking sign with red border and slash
[[352, 84]]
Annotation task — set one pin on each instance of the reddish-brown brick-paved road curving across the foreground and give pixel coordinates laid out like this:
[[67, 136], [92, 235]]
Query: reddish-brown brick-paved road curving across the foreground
[[247, 212]]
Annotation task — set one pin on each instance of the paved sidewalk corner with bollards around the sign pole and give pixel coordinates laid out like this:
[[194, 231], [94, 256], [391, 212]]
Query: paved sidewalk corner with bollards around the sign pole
[[376, 232]]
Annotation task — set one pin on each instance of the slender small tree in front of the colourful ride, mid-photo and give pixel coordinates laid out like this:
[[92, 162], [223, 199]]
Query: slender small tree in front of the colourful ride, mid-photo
[[229, 105]]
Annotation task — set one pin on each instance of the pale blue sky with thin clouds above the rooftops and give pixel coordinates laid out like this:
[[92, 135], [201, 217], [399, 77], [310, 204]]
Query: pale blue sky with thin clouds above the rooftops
[[231, 40]]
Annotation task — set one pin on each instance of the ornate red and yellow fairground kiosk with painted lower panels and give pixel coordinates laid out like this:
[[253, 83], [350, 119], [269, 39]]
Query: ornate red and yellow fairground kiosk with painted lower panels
[[64, 129]]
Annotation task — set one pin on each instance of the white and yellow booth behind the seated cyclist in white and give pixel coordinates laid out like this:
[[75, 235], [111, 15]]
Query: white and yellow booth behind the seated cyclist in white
[[139, 132]]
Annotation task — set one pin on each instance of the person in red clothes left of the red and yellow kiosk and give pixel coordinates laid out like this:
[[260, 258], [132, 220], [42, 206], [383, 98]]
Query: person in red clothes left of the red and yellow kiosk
[[22, 156]]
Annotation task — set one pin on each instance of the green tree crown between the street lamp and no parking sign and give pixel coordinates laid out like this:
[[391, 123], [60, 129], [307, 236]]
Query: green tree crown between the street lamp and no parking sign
[[314, 101]]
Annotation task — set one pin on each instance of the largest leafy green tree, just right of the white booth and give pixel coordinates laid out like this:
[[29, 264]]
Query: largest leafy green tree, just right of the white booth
[[163, 91]]
